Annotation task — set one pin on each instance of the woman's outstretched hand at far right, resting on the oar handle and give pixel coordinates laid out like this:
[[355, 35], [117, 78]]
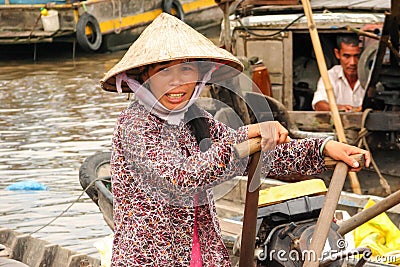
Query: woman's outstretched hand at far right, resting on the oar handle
[[342, 152]]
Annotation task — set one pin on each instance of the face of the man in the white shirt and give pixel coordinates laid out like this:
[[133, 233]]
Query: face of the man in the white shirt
[[348, 56]]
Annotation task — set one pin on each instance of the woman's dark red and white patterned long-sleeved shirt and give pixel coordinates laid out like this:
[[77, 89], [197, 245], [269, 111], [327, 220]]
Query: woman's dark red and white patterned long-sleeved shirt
[[157, 168]]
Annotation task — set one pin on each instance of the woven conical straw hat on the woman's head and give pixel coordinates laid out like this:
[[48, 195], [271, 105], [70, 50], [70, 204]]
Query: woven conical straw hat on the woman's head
[[168, 38]]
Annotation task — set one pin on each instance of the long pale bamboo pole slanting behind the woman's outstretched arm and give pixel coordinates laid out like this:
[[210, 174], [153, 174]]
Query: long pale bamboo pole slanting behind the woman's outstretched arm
[[355, 185]]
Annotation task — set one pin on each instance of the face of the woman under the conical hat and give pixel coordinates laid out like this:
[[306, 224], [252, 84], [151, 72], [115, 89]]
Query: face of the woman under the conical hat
[[173, 83]]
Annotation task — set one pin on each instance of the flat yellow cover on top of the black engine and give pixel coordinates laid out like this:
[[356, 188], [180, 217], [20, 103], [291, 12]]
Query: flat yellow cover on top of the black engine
[[276, 194]]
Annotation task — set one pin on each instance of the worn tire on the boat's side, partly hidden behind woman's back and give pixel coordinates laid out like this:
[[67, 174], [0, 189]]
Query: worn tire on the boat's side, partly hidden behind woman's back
[[88, 172]]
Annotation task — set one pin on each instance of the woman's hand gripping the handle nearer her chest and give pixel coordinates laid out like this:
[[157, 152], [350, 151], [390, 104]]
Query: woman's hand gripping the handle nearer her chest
[[272, 133]]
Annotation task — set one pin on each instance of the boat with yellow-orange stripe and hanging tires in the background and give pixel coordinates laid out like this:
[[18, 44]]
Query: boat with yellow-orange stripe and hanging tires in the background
[[96, 25]]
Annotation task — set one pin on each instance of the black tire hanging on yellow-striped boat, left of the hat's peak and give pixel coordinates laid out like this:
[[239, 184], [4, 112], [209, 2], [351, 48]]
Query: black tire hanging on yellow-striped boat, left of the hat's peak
[[90, 42]]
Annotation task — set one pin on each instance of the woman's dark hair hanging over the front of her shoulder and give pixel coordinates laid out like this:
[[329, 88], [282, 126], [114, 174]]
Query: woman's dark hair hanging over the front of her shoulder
[[200, 126]]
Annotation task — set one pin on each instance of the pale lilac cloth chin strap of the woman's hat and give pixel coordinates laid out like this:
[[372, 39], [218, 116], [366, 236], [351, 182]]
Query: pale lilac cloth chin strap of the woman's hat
[[147, 99]]
